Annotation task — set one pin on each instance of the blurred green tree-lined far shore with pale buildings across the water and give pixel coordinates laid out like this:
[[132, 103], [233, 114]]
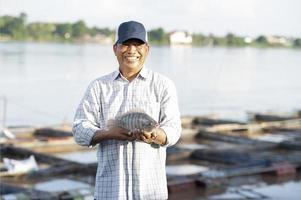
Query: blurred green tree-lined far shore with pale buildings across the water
[[15, 28]]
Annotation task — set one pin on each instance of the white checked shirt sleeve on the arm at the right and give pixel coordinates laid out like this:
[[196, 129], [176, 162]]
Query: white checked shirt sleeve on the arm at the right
[[170, 120]]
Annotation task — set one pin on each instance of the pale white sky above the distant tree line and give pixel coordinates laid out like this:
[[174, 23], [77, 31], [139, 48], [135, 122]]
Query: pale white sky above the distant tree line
[[219, 17]]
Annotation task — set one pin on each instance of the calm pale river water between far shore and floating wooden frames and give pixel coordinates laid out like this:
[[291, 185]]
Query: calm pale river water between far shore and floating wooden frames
[[44, 82]]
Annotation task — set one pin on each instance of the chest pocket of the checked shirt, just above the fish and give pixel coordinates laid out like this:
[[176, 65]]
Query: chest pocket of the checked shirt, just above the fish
[[152, 108]]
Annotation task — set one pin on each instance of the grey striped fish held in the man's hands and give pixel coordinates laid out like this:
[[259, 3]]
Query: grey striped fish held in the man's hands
[[134, 120]]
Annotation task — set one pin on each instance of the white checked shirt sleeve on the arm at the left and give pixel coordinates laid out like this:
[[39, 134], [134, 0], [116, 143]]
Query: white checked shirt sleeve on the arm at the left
[[86, 120]]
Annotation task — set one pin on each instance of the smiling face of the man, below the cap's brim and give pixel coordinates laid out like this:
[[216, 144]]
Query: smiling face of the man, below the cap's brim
[[131, 54]]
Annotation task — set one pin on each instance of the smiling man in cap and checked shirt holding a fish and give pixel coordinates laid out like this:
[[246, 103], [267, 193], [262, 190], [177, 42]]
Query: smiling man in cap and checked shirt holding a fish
[[129, 165]]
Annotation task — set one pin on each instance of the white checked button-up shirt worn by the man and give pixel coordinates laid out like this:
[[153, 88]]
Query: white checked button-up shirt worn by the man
[[129, 170]]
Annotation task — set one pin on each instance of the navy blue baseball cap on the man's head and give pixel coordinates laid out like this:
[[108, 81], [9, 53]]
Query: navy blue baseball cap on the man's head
[[131, 30]]
